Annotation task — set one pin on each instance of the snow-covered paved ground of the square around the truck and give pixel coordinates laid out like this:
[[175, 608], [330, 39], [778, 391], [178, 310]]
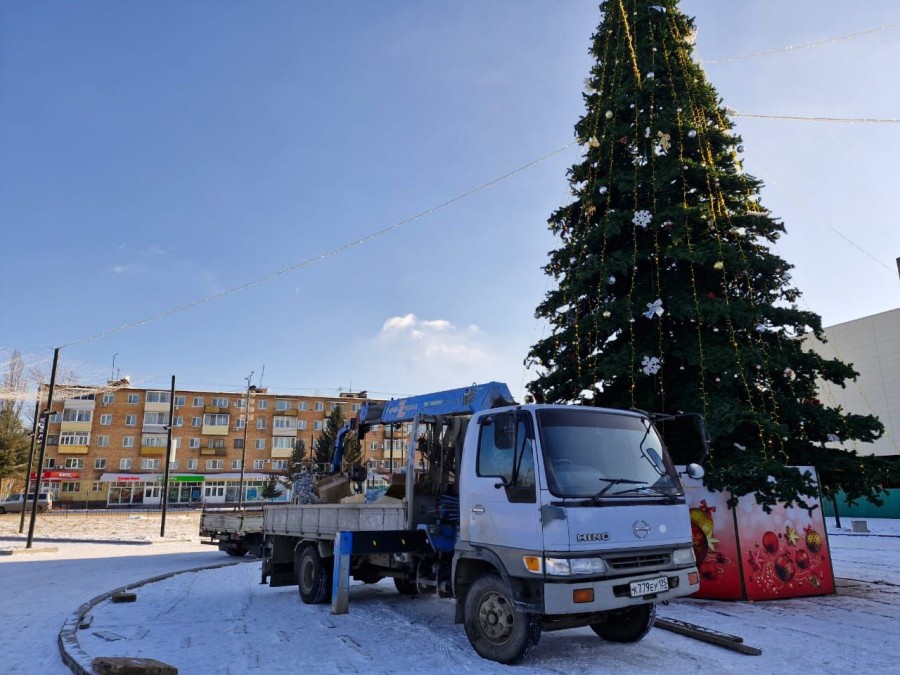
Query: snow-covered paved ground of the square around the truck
[[224, 621]]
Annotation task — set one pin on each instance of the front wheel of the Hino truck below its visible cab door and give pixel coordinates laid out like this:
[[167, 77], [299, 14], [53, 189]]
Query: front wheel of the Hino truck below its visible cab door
[[497, 630]]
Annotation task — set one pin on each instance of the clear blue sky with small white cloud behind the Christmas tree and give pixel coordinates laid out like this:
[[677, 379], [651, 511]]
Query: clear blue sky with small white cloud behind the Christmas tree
[[157, 153]]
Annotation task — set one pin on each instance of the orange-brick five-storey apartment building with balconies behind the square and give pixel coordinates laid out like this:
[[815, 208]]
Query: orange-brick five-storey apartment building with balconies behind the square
[[106, 446]]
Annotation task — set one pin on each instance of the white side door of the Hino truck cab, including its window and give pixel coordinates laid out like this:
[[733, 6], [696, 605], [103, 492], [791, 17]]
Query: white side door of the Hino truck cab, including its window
[[499, 486]]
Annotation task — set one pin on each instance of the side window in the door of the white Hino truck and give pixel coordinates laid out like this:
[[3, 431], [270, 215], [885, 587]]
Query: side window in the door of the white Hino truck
[[514, 465]]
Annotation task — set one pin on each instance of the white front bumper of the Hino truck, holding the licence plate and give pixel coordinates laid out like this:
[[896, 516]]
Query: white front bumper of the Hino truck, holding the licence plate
[[607, 594]]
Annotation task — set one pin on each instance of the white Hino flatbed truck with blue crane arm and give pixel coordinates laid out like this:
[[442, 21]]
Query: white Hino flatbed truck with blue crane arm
[[532, 517]]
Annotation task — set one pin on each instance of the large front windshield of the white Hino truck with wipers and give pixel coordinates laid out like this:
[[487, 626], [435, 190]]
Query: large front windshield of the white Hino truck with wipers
[[597, 454]]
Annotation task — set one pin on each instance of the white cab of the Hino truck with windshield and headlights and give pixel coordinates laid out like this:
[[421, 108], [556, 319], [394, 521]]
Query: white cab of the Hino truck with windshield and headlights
[[579, 510]]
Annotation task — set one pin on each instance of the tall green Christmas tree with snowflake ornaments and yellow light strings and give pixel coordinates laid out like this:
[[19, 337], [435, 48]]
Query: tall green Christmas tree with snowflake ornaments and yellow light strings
[[667, 296]]
